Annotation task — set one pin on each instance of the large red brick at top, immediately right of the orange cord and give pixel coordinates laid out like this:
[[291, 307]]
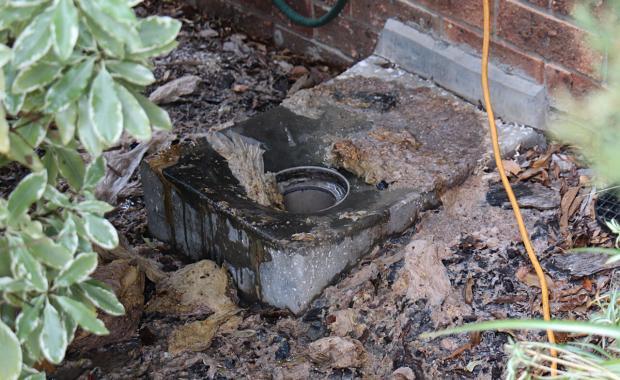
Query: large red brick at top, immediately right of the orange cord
[[554, 39]]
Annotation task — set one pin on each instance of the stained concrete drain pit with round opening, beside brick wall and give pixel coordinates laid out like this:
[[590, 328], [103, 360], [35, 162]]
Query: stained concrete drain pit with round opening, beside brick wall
[[320, 145]]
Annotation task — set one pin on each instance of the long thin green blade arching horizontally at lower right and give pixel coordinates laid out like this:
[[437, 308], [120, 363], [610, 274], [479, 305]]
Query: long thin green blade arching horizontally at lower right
[[577, 327]]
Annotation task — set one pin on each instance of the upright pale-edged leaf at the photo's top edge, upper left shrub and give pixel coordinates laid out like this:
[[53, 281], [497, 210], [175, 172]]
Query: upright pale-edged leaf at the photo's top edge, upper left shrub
[[65, 28]]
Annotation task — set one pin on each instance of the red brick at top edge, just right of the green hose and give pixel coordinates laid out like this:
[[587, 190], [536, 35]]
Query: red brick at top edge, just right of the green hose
[[375, 13]]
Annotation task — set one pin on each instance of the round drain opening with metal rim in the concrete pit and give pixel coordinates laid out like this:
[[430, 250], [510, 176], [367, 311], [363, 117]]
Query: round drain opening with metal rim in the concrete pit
[[310, 189]]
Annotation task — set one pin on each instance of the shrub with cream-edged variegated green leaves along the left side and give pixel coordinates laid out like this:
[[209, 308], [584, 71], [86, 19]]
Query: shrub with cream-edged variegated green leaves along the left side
[[71, 74]]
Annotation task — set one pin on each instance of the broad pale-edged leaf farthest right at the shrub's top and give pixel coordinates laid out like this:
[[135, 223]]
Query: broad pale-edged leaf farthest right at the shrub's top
[[156, 32]]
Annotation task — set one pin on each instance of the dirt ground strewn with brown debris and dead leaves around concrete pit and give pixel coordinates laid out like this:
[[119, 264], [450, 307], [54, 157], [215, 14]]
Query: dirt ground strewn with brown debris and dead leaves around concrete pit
[[368, 324]]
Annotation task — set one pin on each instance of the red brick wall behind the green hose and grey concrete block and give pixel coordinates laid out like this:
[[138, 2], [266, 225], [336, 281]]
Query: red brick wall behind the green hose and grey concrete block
[[536, 37]]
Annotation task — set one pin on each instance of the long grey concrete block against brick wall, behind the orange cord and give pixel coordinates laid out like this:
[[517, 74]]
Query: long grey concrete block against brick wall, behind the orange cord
[[515, 98]]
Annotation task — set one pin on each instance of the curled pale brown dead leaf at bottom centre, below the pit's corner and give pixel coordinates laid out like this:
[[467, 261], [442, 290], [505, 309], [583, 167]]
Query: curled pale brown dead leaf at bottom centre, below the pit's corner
[[337, 352]]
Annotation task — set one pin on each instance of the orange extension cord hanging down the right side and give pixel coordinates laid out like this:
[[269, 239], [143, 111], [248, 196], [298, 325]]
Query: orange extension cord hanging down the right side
[[500, 167]]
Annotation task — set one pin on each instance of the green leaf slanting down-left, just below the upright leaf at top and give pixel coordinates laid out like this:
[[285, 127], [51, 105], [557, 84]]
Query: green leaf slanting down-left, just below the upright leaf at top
[[70, 86]]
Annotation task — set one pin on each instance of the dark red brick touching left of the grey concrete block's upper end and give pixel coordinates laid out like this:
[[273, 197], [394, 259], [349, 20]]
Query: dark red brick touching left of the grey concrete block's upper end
[[352, 38]]
